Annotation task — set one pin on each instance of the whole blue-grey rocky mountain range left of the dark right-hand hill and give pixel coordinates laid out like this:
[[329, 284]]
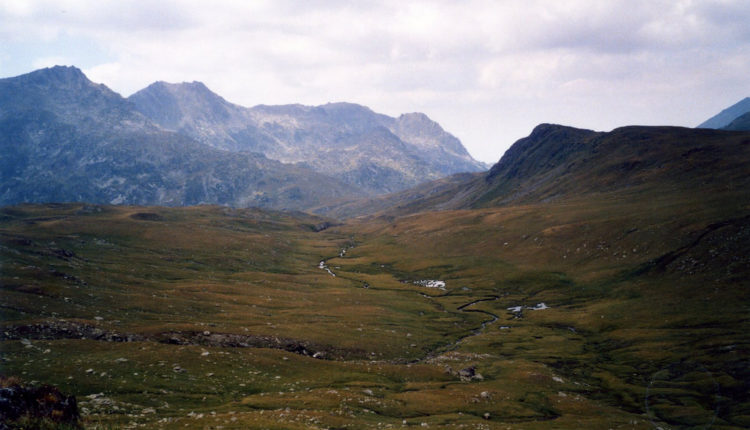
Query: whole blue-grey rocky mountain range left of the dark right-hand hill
[[64, 138]]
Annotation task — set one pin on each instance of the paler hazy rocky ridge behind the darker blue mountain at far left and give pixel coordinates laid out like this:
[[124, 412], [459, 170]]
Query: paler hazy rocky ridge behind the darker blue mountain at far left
[[371, 151]]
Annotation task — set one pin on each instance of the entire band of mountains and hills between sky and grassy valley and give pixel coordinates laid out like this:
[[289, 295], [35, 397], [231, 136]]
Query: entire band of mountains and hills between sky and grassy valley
[[65, 138]]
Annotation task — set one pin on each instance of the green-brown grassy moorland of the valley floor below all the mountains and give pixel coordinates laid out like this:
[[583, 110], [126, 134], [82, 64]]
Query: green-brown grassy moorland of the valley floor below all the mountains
[[647, 322]]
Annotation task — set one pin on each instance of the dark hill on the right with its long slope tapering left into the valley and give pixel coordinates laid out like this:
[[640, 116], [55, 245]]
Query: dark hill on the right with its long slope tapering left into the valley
[[556, 162]]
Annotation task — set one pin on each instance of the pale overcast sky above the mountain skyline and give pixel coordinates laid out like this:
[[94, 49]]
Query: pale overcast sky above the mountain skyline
[[487, 71]]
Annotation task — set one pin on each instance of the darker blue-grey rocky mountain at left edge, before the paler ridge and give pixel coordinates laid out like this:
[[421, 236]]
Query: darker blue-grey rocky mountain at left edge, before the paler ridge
[[64, 138]]
